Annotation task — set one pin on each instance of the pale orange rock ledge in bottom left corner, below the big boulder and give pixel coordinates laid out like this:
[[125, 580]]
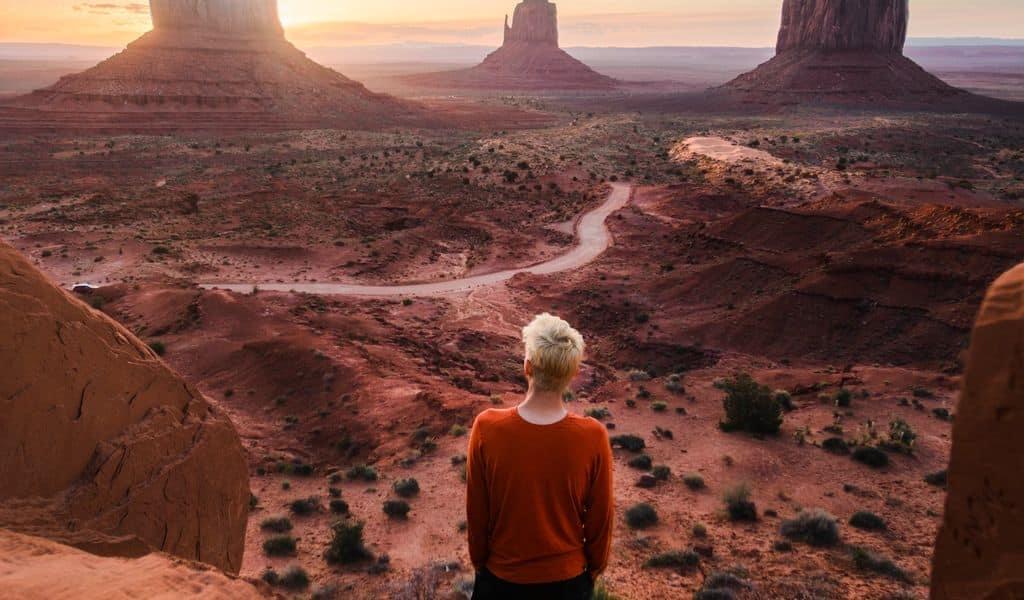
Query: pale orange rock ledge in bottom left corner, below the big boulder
[[33, 569]]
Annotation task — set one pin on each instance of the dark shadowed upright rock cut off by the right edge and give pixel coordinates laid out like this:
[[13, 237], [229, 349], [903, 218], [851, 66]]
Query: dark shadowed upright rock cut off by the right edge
[[980, 550]]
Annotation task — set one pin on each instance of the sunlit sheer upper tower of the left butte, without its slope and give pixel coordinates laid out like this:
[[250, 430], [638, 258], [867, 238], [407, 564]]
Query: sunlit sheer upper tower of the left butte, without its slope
[[246, 18]]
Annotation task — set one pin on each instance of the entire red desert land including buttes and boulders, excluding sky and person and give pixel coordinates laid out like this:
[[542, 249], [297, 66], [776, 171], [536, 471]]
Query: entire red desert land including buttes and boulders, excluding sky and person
[[251, 309]]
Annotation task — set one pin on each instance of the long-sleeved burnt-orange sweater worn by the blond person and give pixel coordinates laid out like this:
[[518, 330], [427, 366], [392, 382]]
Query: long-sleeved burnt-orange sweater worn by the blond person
[[539, 499]]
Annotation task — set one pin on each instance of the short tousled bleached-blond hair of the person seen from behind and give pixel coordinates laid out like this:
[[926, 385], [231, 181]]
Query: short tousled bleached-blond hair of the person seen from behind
[[554, 350]]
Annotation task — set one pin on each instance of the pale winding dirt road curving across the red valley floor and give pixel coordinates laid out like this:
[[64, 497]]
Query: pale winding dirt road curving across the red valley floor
[[593, 239]]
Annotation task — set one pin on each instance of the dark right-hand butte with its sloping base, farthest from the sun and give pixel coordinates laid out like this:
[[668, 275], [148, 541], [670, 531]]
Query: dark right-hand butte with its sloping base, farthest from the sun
[[849, 52]]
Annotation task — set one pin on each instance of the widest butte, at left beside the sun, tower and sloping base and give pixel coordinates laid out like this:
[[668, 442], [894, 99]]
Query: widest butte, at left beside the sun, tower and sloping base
[[220, 63]]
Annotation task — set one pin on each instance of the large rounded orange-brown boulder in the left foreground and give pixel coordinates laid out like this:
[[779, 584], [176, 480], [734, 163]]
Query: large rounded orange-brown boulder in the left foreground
[[102, 446]]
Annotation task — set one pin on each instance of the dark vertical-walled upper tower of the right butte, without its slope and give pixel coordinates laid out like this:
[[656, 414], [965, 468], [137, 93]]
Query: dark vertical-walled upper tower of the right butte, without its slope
[[844, 25]]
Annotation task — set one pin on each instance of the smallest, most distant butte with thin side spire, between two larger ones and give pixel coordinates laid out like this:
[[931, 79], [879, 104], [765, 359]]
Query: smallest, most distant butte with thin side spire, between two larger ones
[[529, 60]]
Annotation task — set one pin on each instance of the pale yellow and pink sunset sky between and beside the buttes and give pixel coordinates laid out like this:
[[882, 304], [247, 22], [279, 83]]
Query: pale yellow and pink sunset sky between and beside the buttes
[[586, 23]]
